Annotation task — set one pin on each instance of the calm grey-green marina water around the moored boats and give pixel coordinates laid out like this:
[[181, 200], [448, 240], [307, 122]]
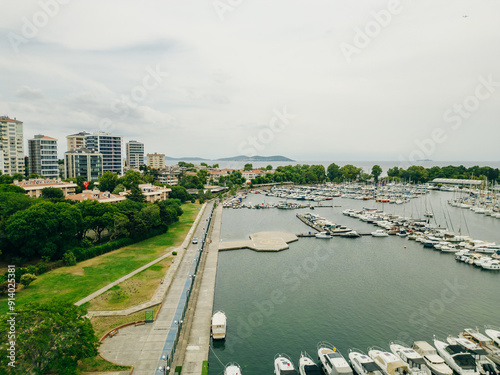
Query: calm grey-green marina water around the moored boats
[[350, 292]]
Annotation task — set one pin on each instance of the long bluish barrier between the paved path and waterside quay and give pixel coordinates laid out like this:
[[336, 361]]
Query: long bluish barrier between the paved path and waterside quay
[[172, 339]]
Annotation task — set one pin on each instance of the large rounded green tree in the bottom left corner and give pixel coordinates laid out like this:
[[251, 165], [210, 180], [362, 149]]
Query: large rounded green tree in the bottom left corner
[[49, 337]]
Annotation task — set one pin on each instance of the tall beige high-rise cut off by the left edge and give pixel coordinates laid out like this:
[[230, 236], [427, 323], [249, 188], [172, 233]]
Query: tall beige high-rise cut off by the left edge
[[11, 146]]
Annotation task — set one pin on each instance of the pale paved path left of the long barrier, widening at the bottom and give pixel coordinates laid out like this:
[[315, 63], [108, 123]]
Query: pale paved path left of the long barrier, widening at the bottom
[[141, 346]]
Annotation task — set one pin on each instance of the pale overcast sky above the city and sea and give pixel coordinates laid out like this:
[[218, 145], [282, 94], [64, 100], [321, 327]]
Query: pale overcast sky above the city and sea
[[308, 79]]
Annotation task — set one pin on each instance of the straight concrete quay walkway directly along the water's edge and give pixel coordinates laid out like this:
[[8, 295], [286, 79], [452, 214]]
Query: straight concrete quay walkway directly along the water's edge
[[198, 343]]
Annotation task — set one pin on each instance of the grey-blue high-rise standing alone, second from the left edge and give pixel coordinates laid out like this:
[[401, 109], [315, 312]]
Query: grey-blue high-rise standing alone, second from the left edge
[[43, 156]]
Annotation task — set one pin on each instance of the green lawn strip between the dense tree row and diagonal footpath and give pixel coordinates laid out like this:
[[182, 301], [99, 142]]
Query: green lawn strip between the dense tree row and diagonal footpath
[[71, 284]]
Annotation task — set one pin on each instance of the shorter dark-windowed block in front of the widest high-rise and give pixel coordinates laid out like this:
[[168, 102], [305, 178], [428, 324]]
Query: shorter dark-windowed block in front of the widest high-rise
[[83, 163]]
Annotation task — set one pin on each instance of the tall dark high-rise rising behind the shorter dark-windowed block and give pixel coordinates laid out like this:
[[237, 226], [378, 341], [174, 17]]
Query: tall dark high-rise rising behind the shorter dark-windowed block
[[110, 147]]
